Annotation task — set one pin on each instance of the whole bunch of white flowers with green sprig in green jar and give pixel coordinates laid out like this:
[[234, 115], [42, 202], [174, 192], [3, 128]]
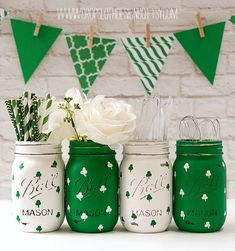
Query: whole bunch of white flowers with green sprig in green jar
[[103, 120]]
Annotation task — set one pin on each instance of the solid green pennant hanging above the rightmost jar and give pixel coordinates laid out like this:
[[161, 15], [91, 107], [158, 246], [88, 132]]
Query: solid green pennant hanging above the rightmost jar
[[203, 51]]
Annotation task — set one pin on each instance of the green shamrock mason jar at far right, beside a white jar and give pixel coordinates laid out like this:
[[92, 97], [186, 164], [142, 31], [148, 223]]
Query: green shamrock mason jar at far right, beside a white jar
[[199, 186]]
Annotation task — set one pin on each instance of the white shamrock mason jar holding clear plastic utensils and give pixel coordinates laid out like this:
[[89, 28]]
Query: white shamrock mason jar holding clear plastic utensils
[[146, 187]]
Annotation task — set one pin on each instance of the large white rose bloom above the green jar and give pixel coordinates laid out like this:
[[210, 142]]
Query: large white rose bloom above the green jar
[[106, 121]]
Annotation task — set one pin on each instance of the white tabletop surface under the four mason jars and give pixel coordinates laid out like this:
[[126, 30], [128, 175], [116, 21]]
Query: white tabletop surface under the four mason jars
[[119, 239]]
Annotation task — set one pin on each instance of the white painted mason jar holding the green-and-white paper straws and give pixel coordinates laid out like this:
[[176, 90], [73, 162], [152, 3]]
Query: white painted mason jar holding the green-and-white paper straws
[[38, 186]]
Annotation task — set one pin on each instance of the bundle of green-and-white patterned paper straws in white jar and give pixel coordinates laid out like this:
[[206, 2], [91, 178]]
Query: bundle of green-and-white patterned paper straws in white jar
[[29, 116]]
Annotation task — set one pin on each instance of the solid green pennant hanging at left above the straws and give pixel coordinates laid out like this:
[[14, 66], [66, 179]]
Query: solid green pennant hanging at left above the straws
[[31, 49]]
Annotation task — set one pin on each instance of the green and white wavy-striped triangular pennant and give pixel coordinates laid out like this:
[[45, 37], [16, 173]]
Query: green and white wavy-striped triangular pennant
[[148, 62]]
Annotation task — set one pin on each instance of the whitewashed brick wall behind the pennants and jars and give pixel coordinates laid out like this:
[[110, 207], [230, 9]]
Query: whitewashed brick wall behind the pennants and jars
[[191, 91]]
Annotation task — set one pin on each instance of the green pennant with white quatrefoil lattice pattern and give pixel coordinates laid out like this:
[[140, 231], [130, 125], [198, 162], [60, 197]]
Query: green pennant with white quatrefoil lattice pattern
[[89, 62]]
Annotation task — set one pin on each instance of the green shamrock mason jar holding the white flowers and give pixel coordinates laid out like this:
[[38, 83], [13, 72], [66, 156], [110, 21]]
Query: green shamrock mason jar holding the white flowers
[[91, 187]]
